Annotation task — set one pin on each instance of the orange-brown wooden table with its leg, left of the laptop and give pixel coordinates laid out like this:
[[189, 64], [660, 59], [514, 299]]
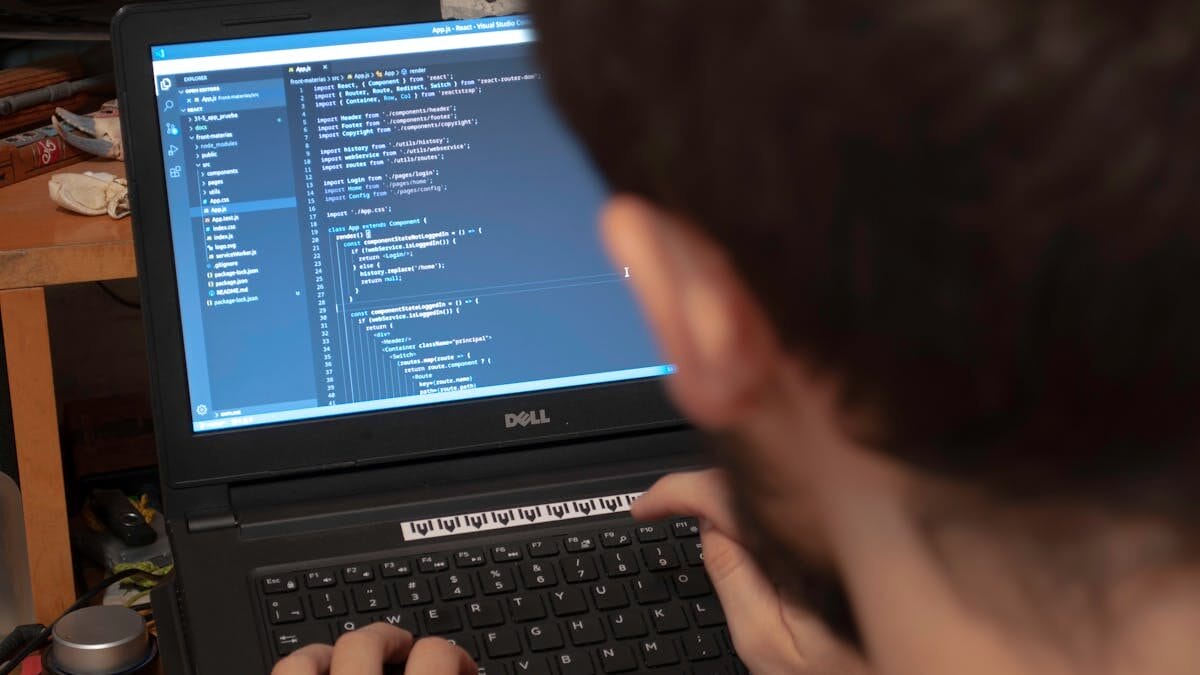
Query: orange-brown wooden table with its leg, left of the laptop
[[43, 246]]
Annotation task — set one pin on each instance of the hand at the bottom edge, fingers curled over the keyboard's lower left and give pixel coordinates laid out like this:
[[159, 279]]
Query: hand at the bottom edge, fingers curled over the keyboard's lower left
[[365, 653]]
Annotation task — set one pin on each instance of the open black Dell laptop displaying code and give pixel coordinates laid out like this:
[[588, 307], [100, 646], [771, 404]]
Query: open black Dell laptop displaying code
[[395, 378]]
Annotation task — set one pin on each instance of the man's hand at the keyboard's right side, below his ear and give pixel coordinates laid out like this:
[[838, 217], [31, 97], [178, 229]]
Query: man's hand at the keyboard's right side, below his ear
[[771, 636]]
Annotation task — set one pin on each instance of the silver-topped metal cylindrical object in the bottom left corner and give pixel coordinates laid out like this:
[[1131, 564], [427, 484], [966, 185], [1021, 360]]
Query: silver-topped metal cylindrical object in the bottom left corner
[[100, 641]]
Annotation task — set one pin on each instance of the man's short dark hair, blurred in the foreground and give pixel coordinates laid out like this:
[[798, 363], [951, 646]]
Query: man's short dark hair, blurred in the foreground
[[983, 216]]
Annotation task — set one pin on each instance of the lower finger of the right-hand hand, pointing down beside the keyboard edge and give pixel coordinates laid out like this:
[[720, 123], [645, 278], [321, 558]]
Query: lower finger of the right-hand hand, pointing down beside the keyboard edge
[[752, 605]]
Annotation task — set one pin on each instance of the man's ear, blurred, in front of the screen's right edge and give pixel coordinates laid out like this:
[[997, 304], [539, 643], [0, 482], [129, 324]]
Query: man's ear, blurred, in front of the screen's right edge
[[707, 322]]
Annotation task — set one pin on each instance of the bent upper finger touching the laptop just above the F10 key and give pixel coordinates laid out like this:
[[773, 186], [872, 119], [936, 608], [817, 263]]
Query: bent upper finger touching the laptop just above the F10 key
[[703, 494]]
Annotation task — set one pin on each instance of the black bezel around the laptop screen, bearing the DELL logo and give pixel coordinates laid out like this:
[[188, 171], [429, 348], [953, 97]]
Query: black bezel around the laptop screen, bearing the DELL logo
[[250, 453]]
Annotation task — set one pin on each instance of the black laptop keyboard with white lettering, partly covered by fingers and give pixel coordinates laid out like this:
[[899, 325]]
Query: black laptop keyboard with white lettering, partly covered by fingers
[[602, 600]]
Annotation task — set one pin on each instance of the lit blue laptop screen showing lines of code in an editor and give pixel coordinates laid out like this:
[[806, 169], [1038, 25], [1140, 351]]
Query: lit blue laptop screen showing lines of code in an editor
[[382, 218]]
